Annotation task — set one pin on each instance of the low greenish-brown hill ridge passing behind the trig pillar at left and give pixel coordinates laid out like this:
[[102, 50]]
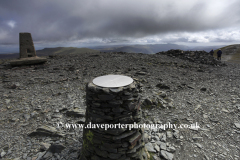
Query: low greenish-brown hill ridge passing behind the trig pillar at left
[[51, 51]]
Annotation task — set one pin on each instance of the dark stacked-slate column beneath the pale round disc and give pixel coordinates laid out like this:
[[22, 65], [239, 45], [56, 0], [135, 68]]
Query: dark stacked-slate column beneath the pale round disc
[[113, 106]]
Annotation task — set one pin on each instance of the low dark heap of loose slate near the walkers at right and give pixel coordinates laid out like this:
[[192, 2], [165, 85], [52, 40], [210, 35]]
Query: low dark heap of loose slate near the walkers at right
[[202, 57]]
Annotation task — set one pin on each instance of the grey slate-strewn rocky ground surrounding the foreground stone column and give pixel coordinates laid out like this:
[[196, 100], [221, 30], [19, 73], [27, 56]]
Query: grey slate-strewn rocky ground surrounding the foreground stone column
[[180, 91]]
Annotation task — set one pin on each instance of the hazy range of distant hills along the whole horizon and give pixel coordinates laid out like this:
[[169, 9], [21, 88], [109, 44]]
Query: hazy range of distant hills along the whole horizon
[[147, 49]]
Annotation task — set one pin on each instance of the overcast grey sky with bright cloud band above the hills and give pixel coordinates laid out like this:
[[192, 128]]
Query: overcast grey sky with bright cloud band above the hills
[[93, 22]]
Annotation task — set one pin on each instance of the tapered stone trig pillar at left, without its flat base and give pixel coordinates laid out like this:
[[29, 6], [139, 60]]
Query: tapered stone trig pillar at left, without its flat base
[[26, 45]]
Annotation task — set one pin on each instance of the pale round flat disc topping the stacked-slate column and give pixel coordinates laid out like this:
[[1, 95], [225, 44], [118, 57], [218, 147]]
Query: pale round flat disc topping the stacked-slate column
[[112, 81]]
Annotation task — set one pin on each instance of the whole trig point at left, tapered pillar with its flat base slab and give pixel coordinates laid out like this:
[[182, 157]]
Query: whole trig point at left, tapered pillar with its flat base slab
[[27, 52]]
